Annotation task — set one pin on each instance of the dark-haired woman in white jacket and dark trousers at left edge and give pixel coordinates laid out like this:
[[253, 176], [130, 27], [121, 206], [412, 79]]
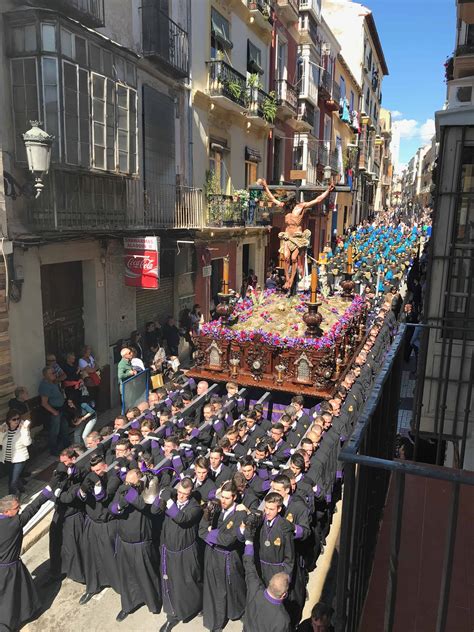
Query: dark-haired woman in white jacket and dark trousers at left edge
[[14, 441]]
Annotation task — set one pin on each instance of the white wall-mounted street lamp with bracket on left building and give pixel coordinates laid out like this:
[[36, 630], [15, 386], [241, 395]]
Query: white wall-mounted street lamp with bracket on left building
[[38, 144]]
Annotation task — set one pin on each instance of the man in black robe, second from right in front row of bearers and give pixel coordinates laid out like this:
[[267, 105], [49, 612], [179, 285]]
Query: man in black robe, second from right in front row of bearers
[[224, 581]]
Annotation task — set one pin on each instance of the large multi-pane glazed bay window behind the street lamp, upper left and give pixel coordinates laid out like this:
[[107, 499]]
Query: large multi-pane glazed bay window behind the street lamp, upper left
[[76, 91]]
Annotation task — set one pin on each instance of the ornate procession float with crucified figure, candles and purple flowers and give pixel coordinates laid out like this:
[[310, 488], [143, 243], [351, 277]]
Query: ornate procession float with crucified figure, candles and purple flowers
[[297, 342]]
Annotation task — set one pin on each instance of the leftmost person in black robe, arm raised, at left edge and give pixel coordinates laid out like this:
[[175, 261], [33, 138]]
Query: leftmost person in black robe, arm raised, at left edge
[[19, 600]]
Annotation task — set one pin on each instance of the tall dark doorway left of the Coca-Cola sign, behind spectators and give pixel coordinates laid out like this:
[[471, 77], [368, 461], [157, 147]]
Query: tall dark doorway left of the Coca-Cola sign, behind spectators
[[63, 306]]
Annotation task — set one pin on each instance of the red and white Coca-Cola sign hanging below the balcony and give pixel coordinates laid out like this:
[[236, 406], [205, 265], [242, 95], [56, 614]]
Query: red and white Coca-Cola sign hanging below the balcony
[[141, 260]]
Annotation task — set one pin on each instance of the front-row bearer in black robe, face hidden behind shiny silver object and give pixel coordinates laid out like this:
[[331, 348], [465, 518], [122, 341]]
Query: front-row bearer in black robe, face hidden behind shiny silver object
[[137, 562]]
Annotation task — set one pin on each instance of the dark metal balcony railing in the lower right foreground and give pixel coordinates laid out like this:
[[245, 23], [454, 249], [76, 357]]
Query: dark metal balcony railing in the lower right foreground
[[368, 470]]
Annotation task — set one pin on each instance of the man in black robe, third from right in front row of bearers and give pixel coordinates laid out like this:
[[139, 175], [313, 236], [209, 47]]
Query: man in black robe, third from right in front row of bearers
[[181, 575]]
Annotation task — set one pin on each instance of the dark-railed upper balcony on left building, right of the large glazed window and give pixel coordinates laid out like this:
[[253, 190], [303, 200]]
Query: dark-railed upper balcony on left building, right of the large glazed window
[[165, 42]]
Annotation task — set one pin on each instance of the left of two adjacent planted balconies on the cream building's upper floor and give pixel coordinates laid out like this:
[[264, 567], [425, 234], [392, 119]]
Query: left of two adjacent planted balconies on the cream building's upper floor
[[227, 86]]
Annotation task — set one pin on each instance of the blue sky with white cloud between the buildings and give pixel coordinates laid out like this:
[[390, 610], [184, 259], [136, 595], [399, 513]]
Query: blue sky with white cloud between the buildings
[[416, 36]]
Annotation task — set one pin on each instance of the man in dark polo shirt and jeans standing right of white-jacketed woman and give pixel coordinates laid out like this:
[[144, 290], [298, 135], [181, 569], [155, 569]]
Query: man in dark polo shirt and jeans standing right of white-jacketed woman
[[52, 400]]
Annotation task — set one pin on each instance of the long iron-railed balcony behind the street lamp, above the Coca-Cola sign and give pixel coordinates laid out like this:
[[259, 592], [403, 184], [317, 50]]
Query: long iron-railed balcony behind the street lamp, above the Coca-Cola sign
[[73, 202]]
